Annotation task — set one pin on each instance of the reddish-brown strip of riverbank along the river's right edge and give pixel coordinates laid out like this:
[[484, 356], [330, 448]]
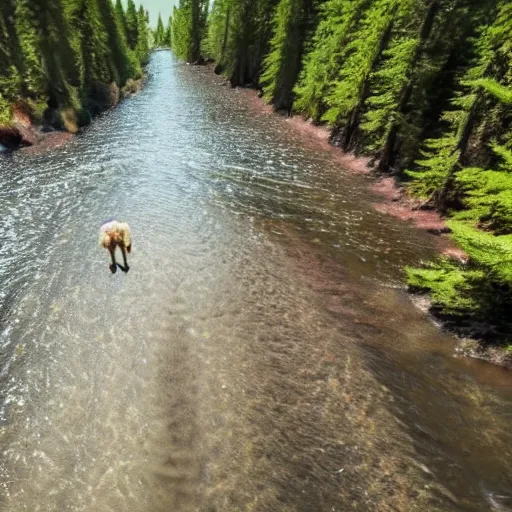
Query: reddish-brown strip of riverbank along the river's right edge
[[391, 198]]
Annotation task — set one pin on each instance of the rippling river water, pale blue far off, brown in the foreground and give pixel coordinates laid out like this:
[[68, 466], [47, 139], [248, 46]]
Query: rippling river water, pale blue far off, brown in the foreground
[[260, 355]]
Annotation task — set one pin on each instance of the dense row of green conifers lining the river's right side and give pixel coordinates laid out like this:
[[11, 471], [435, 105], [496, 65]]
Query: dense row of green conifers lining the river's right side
[[423, 86]]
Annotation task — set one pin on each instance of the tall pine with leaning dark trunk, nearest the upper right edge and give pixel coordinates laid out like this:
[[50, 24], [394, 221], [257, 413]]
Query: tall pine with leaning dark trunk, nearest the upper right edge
[[443, 156]]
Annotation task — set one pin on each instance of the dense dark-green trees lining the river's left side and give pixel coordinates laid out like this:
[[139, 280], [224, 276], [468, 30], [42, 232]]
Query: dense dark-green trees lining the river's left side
[[62, 61]]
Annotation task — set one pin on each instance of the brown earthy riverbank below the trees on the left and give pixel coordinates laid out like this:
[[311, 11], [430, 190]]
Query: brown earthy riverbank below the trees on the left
[[56, 127]]
